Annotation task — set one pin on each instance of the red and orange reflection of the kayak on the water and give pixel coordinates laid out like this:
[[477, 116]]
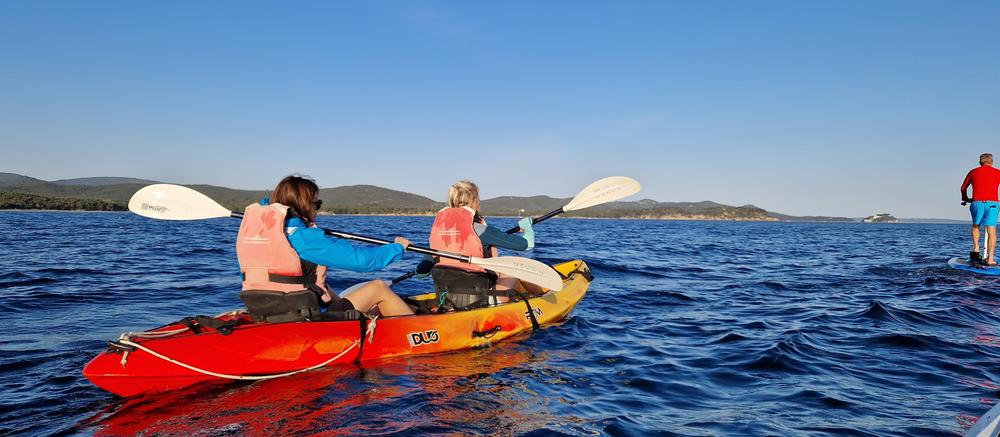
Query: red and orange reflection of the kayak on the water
[[434, 393]]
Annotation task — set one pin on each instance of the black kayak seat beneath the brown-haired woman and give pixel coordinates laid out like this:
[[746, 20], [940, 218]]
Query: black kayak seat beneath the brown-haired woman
[[297, 306]]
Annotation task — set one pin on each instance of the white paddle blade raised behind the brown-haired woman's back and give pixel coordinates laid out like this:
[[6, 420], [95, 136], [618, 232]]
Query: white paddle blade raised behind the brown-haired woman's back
[[174, 202]]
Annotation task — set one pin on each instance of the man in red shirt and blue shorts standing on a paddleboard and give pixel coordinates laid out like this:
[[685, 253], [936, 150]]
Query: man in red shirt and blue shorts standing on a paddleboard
[[983, 206]]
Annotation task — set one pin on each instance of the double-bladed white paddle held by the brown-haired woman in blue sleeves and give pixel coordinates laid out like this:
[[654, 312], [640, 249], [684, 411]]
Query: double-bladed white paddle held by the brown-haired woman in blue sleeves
[[175, 202]]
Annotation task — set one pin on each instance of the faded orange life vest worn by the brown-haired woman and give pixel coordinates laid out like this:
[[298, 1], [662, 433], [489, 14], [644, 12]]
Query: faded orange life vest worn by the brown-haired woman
[[267, 260]]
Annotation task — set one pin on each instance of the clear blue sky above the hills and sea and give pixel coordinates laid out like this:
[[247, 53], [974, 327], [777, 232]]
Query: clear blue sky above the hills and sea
[[828, 108]]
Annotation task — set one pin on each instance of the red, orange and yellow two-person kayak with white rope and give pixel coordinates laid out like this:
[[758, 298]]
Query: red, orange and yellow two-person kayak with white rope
[[234, 347]]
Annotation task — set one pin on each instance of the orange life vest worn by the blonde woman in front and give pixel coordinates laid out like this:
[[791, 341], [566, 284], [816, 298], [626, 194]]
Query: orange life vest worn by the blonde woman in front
[[452, 231]]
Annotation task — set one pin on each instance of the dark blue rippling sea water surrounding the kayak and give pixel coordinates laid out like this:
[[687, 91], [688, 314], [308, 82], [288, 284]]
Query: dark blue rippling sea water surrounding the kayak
[[690, 328]]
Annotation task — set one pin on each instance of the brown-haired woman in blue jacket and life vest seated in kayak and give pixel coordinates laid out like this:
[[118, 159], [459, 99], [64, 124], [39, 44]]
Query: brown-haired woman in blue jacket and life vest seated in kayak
[[284, 258]]
